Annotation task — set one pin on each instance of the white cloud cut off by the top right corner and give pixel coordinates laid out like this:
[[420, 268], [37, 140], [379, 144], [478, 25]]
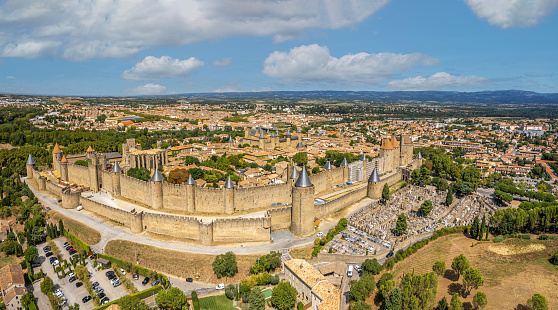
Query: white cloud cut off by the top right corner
[[512, 13]]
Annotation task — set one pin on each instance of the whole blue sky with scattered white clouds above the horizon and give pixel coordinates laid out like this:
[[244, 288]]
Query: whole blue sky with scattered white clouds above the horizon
[[133, 47]]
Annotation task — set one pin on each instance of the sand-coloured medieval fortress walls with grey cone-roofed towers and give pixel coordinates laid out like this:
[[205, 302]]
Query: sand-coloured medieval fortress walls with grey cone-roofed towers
[[295, 198]]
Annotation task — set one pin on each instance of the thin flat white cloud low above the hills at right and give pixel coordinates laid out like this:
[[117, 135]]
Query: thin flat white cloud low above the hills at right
[[440, 80]]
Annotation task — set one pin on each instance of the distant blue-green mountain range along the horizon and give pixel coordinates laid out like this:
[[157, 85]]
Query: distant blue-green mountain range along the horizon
[[516, 97]]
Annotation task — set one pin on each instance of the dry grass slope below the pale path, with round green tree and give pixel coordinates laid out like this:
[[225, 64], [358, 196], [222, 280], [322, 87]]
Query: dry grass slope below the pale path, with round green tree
[[177, 263]]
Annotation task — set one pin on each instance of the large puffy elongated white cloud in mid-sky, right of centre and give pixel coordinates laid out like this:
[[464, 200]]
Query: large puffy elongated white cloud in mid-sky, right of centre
[[311, 63]]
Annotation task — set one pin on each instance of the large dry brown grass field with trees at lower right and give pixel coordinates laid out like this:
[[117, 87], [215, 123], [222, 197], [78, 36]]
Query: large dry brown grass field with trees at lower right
[[512, 274]]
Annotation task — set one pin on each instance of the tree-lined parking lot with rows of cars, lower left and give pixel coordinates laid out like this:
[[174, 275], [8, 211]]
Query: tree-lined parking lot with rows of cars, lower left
[[72, 293]]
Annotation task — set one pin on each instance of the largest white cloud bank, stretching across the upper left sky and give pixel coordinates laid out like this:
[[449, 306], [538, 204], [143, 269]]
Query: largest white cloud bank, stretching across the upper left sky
[[105, 28]]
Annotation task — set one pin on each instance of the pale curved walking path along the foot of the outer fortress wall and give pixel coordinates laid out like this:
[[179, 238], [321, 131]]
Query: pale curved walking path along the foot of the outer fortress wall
[[282, 239]]
